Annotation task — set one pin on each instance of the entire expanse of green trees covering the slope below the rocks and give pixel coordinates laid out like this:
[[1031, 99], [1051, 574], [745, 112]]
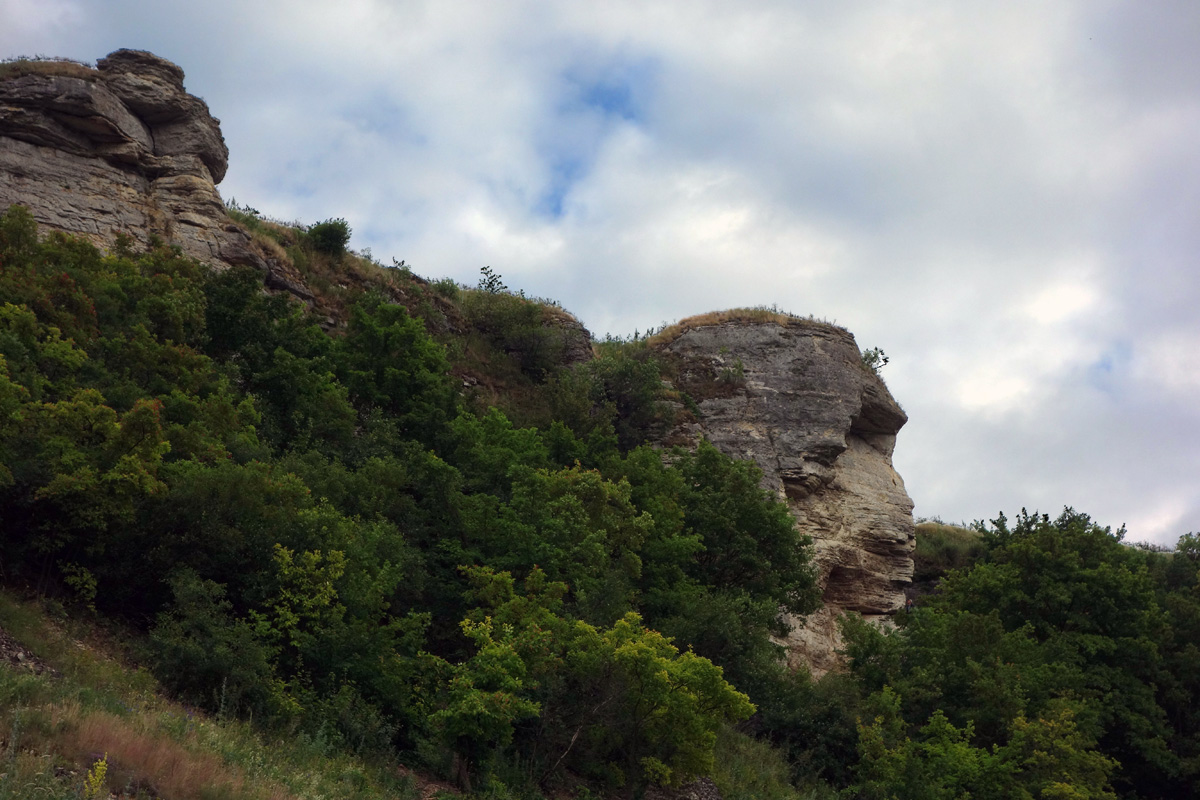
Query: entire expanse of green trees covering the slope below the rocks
[[321, 532]]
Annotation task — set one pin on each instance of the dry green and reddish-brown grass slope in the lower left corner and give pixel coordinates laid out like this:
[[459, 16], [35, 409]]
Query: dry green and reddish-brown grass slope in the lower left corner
[[53, 732]]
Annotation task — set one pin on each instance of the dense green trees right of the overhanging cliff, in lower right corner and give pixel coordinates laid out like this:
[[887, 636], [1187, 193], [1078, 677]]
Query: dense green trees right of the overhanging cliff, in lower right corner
[[1063, 666]]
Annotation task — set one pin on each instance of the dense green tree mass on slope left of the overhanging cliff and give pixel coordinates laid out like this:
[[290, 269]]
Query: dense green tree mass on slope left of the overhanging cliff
[[315, 531]]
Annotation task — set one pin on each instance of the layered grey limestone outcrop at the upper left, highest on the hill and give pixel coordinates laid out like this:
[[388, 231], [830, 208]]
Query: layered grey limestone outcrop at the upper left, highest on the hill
[[122, 149]]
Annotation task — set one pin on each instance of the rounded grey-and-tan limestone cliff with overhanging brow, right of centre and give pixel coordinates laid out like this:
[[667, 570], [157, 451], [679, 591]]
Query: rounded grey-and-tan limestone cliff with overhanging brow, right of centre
[[796, 400]]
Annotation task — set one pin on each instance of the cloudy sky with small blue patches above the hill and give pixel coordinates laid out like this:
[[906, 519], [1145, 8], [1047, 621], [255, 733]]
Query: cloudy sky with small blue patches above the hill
[[1004, 196]]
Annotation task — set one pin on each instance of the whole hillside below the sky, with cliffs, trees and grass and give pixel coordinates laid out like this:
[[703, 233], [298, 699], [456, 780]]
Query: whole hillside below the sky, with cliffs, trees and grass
[[316, 522]]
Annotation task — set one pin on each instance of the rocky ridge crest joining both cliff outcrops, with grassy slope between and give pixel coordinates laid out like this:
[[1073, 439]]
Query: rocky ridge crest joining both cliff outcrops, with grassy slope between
[[125, 157]]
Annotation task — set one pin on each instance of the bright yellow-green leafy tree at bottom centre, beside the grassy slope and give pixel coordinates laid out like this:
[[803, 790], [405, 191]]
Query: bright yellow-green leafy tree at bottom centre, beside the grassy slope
[[651, 713]]
